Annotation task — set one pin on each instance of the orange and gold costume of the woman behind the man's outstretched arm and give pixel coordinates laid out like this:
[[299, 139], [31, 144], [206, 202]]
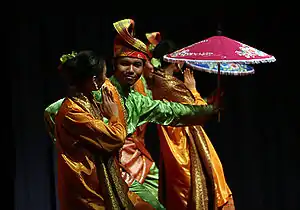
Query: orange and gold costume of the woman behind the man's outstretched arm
[[191, 174]]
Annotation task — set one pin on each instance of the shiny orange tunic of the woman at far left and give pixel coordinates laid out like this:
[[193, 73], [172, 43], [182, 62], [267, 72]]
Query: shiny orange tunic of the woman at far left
[[88, 175]]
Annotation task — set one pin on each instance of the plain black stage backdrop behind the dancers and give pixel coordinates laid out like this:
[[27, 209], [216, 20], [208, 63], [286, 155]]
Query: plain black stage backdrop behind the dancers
[[257, 139]]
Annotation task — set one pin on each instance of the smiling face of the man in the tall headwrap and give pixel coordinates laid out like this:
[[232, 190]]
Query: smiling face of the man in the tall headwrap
[[128, 70]]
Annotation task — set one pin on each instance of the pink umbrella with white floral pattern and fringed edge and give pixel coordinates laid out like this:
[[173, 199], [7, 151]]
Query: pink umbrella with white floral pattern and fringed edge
[[218, 49]]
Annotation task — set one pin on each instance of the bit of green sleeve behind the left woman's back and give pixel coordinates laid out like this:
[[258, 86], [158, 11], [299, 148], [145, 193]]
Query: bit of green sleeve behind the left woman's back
[[49, 117]]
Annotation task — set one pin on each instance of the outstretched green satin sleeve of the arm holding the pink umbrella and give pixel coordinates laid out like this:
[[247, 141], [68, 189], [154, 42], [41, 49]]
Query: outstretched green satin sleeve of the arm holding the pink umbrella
[[142, 109]]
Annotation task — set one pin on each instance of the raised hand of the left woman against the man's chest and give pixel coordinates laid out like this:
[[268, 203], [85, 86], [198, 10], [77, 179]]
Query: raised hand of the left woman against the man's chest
[[108, 107]]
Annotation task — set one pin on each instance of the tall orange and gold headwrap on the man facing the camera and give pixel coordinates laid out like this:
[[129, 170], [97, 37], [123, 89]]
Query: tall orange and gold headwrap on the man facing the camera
[[125, 44]]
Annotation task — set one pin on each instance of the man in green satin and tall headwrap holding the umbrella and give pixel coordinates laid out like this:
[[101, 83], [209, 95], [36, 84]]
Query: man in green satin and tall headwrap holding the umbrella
[[137, 109]]
